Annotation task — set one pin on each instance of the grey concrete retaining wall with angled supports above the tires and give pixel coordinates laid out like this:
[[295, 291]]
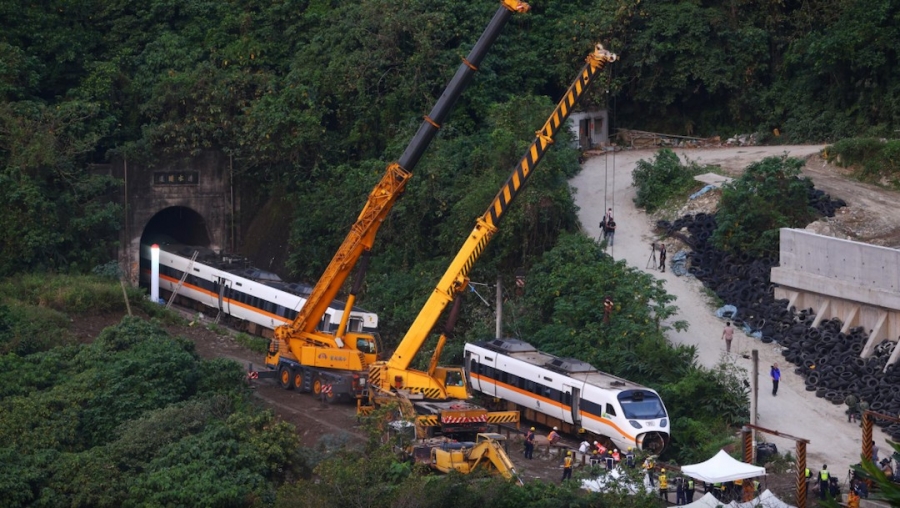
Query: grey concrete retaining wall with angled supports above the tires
[[856, 282]]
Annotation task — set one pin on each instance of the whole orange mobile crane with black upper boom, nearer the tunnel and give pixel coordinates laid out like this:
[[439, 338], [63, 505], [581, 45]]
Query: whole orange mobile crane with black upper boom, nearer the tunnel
[[311, 360]]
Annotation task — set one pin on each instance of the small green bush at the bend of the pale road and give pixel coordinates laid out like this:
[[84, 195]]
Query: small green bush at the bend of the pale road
[[663, 178]]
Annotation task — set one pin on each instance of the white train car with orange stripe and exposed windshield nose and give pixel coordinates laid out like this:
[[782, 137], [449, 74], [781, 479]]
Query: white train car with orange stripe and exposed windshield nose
[[568, 393]]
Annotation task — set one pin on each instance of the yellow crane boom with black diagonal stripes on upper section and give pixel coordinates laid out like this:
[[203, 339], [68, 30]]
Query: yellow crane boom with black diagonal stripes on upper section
[[455, 279]]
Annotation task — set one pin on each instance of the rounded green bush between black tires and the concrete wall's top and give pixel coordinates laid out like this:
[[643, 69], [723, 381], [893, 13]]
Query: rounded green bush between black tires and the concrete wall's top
[[768, 196]]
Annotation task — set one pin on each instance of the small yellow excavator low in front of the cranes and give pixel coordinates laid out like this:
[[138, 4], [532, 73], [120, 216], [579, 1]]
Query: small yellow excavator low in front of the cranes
[[486, 453]]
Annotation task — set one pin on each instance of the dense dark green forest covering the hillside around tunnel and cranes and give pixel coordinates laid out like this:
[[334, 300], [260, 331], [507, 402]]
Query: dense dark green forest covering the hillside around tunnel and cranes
[[311, 99]]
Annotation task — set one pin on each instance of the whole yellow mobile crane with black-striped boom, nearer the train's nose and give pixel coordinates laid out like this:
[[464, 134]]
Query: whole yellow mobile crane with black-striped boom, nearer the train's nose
[[439, 394]]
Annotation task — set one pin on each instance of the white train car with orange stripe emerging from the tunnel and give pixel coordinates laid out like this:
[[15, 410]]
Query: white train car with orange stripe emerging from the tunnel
[[251, 297]]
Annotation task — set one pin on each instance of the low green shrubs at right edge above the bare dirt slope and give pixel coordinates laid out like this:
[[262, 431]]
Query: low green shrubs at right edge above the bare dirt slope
[[874, 160]]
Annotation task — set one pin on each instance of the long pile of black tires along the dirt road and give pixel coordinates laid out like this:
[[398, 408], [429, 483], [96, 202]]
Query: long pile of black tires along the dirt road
[[828, 359]]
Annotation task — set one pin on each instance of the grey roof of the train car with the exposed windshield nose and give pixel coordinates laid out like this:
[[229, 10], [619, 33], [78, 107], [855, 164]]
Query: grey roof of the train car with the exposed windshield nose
[[571, 367]]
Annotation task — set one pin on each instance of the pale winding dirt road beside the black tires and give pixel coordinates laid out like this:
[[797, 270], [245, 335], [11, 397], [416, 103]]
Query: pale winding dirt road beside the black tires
[[606, 180]]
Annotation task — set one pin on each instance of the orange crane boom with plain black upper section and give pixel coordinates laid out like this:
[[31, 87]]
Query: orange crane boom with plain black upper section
[[380, 201]]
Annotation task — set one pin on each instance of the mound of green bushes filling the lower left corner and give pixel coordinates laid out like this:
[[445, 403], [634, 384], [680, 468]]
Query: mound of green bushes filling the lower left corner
[[135, 419]]
